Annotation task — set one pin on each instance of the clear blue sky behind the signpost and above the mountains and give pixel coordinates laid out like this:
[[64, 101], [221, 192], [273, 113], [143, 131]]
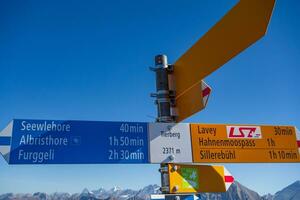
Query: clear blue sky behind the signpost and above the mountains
[[88, 60]]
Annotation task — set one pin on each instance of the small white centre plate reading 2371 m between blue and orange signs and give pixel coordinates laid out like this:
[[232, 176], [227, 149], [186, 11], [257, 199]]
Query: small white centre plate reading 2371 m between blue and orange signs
[[170, 142]]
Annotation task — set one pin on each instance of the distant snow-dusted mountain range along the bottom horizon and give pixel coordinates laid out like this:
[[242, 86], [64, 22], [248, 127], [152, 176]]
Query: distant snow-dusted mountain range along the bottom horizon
[[236, 192]]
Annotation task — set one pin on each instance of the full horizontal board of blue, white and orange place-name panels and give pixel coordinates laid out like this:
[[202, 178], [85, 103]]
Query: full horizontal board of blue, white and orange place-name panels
[[79, 142]]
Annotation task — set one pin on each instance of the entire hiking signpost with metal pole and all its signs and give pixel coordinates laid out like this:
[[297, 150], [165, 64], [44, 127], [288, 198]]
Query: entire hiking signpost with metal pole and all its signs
[[180, 92]]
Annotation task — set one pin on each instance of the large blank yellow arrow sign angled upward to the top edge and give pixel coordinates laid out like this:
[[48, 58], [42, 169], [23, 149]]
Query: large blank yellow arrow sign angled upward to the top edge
[[238, 29]]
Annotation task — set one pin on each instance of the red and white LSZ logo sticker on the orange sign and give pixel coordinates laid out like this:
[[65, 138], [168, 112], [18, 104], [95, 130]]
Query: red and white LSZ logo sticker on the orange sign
[[251, 132]]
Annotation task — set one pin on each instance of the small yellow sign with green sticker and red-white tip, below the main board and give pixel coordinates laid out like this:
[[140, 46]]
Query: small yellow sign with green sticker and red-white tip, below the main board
[[198, 178]]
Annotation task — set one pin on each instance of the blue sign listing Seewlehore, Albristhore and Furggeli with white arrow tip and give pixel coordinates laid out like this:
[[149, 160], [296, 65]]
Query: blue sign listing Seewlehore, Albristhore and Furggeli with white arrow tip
[[74, 142]]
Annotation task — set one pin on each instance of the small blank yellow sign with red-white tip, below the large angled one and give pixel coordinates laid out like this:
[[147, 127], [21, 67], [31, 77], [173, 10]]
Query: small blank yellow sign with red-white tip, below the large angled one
[[192, 101]]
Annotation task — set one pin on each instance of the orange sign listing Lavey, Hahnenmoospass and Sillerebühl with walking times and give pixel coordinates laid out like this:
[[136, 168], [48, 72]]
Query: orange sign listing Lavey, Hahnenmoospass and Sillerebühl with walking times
[[244, 143]]
